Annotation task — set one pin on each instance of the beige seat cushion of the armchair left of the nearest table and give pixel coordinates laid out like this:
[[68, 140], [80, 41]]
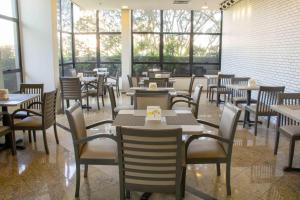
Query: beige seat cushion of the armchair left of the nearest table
[[103, 148]]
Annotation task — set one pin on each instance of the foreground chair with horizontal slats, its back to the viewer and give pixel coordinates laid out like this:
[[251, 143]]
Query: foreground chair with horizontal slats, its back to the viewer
[[150, 161]]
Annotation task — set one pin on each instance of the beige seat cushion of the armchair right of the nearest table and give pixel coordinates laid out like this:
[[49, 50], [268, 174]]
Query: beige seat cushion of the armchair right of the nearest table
[[205, 149]]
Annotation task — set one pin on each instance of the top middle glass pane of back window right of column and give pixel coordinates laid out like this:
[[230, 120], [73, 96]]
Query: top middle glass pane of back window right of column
[[177, 21]]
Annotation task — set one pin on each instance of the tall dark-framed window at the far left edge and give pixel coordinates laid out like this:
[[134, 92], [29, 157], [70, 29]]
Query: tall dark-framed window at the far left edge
[[10, 60]]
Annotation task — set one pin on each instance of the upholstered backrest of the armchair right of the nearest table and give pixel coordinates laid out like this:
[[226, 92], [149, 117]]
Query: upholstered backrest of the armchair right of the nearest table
[[228, 123]]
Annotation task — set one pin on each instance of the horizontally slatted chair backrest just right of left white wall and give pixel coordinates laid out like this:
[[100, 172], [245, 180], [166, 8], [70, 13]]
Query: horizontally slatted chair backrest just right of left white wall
[[70, 88]]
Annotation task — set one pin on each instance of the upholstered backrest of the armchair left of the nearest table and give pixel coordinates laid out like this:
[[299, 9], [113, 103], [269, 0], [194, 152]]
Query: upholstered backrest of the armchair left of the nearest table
[[77, 126]]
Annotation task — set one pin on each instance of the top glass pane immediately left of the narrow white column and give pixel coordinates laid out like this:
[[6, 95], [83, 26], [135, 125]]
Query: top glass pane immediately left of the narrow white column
[[110, 21]]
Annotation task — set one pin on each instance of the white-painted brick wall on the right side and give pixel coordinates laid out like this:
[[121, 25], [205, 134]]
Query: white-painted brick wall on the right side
[[261, 39]]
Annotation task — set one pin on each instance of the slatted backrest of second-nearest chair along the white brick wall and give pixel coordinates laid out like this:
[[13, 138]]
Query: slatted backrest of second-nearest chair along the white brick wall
[[267, 96]]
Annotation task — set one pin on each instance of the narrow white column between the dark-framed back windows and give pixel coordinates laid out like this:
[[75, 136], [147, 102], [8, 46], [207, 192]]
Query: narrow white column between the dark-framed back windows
[[126, 46]]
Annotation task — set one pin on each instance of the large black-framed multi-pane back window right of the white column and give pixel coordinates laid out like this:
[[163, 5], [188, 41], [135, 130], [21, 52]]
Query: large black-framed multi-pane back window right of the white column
[[179, 41]]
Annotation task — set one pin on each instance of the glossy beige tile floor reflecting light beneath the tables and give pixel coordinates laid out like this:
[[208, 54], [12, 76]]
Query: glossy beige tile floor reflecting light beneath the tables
[[256, 172]]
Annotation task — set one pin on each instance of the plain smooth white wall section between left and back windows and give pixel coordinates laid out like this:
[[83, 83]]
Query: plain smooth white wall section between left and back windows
[[39, 42]]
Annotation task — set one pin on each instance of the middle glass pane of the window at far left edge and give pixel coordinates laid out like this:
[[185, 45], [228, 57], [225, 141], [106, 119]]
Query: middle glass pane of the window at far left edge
[[8, 45]]
